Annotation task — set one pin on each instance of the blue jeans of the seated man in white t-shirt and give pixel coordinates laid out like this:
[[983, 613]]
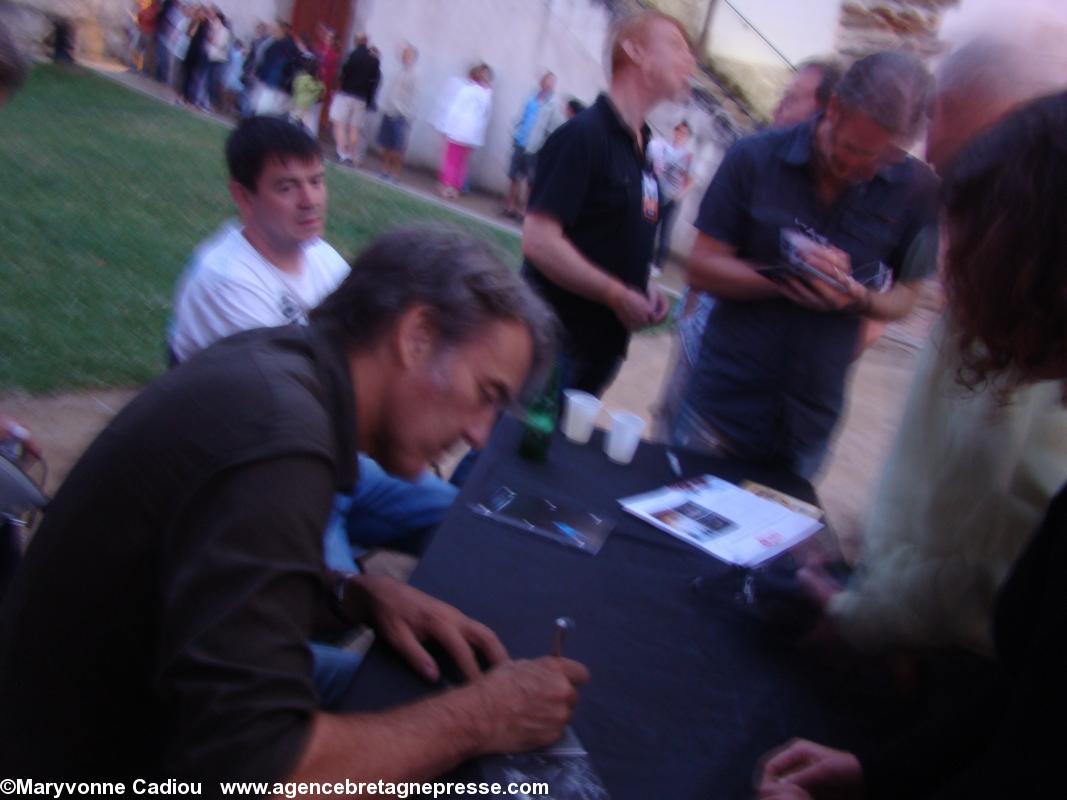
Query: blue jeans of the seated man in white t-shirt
[[385, 511]]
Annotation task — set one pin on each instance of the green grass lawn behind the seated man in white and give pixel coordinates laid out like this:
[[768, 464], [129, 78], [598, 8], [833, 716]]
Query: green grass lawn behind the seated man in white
[[105, 194]]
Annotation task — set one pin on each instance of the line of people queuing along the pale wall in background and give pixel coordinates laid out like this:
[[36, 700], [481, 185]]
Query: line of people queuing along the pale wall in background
[[194, 50]]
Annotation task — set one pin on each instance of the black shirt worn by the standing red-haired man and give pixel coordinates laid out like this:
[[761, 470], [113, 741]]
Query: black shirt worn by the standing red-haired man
[[590, 178]]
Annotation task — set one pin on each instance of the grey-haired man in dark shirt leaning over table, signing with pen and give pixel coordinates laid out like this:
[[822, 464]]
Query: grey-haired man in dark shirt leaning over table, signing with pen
[[179, 572]]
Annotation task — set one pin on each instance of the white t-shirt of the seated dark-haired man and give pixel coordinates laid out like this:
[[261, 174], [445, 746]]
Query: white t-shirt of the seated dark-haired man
[[230, 287]]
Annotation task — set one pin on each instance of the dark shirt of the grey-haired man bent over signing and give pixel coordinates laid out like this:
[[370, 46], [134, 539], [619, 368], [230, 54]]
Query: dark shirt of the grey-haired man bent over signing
[[158, 625]]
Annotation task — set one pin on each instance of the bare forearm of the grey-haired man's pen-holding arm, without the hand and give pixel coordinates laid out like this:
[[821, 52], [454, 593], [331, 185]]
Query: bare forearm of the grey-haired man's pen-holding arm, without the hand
[[413, 743]]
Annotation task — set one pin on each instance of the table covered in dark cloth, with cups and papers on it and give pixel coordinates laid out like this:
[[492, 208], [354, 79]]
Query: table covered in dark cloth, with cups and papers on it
[[689, 690]]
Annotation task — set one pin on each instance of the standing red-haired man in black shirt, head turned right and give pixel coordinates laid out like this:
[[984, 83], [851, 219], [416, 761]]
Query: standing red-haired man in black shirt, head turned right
[[595, 203]]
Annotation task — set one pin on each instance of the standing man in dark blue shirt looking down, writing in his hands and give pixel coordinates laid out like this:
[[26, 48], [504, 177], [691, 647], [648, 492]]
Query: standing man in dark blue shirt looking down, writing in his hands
[[770, 381]]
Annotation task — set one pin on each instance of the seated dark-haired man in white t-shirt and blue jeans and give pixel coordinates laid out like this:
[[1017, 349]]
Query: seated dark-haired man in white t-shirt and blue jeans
[[273, 269]]
